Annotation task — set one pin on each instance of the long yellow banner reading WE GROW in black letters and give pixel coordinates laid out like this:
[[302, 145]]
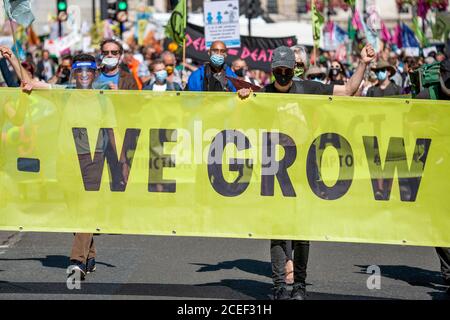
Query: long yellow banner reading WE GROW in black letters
[[207, 164]]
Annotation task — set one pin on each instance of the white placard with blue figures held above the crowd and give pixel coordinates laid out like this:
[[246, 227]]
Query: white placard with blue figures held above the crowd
[[222, 23]]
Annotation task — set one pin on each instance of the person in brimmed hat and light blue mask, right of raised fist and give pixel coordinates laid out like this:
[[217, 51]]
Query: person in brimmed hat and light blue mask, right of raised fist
[[385, 87]]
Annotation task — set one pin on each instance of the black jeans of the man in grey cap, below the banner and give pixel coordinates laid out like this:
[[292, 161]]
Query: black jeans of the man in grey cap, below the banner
[[278, 256]]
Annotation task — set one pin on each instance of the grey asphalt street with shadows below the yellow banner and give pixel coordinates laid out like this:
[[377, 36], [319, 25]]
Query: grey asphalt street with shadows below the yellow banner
[[33, 266]]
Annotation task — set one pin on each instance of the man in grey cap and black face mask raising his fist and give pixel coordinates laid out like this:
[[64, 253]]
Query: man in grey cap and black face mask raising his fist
[[283, 64]]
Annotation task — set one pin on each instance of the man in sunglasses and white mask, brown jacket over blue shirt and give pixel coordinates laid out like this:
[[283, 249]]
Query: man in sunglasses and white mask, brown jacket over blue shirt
[[111, 74]]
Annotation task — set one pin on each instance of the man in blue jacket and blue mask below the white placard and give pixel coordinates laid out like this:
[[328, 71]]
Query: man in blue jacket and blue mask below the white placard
[[212, 76]]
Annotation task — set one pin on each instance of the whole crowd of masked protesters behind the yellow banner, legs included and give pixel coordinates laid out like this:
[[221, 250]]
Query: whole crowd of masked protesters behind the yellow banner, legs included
[[115, 65]]
